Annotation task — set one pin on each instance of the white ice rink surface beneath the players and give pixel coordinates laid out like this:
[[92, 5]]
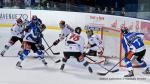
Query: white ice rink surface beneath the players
[[34, 72]]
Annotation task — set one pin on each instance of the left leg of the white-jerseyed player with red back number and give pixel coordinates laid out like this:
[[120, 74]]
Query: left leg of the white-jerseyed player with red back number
[[64, 59]]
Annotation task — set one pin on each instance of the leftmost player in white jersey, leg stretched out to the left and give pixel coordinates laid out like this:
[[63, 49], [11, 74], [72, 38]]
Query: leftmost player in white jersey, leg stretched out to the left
[[17, 34]]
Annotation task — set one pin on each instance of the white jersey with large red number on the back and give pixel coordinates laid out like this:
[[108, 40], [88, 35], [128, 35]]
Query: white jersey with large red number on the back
[[75, 43]]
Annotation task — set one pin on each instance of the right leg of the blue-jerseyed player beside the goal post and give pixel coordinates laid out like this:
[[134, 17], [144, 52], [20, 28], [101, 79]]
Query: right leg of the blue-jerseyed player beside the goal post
[[141, 61]]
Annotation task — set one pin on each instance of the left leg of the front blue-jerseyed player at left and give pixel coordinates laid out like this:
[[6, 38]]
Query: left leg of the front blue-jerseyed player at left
[[26, 51]]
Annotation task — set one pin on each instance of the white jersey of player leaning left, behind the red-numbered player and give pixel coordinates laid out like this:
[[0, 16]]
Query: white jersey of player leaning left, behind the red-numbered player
[[65, 32]]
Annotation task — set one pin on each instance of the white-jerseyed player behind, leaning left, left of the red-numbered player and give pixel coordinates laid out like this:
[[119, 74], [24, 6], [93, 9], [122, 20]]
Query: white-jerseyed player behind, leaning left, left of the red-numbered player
[[65, 31]]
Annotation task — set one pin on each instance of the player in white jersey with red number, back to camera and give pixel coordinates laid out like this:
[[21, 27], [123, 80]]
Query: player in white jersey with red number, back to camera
[[75, 48]]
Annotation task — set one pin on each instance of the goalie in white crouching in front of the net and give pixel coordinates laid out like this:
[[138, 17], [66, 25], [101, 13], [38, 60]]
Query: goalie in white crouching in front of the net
[[94, 44]]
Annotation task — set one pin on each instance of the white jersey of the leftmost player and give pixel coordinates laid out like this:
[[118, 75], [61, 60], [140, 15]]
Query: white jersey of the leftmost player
[[17, 30]]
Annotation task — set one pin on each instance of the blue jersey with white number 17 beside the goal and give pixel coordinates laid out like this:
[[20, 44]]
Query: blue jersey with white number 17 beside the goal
[[133, 42]]
